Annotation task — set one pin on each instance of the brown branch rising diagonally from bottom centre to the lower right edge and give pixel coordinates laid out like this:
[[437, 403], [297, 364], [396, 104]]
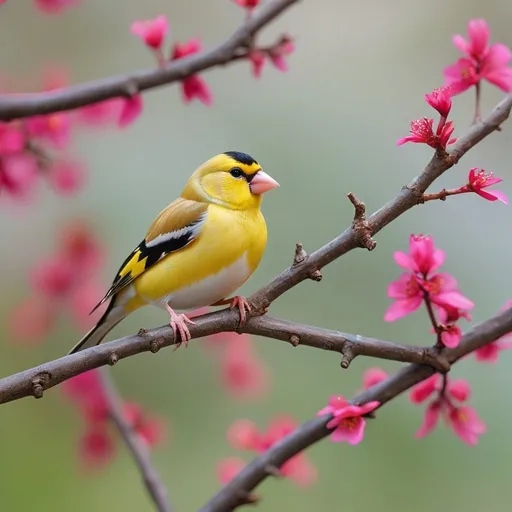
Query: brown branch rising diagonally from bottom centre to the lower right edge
[[232, 495]]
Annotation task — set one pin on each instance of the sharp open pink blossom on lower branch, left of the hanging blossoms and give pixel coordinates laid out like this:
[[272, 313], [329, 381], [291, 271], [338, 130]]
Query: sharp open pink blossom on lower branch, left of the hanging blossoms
[[347, 421]]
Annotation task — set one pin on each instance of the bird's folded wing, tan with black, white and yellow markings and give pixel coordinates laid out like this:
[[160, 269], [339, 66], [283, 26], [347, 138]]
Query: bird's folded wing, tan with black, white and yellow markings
[[176, 226]]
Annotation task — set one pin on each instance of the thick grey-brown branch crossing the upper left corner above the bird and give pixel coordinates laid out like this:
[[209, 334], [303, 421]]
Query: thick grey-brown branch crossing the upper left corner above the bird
[[25, 105]]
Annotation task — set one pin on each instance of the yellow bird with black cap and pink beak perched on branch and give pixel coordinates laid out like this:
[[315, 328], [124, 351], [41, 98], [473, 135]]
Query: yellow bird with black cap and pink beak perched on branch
[[199, 250]]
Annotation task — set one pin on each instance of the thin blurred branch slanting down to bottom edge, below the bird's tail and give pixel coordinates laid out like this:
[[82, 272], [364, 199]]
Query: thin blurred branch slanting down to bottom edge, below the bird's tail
[[138, 450]]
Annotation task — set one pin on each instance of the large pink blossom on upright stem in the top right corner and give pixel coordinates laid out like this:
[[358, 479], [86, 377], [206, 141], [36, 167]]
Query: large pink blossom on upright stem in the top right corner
[[481, 61]]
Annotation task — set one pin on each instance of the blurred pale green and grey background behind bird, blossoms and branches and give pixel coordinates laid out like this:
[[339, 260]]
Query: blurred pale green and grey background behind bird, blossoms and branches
[[325, 128]]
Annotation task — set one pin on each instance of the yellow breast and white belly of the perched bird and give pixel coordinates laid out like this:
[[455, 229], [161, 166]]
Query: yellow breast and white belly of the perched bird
[[211, 268]]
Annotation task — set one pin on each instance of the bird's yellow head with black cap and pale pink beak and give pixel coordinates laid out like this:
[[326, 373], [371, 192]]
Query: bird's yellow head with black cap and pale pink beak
[[232, 179]]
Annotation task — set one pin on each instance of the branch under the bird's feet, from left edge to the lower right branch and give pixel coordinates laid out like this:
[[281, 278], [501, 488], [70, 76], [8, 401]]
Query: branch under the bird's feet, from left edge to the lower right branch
[[35, 381]]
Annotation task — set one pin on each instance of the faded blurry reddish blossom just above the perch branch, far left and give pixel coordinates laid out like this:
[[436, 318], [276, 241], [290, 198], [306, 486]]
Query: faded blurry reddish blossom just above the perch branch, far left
[[31, 321]]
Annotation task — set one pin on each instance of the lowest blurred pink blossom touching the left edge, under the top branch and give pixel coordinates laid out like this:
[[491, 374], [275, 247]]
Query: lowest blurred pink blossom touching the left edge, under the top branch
[[18, 175]]
